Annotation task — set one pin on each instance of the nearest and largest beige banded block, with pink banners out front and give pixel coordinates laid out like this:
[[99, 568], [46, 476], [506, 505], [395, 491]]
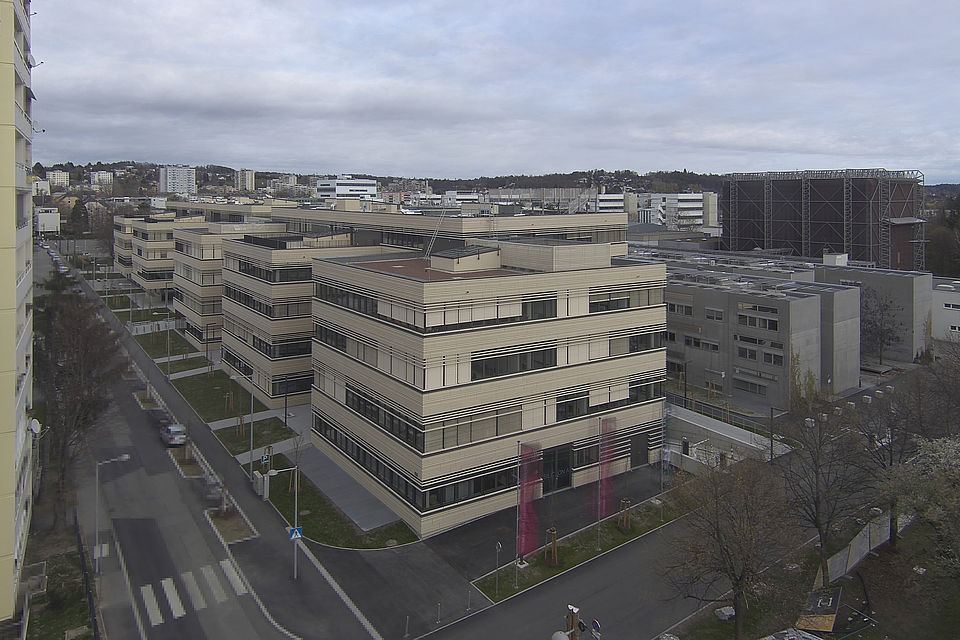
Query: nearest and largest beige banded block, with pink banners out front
[[431, 373]]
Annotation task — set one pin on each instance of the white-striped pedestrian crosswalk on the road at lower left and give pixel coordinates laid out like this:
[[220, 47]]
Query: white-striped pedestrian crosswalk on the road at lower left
[[162, 602]]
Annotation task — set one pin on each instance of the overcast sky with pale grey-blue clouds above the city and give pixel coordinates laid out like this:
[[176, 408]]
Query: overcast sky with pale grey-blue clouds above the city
[[463, 89]]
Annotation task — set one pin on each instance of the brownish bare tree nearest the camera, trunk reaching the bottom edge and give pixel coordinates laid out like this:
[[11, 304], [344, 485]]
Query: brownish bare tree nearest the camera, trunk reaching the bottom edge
[[738, 526]]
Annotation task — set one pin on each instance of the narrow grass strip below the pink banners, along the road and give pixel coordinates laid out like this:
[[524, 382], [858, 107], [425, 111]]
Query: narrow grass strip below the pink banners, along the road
[[578, 549]]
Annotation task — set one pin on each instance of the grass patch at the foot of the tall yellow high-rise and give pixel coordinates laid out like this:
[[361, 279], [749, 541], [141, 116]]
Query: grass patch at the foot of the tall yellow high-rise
[[64, 606]]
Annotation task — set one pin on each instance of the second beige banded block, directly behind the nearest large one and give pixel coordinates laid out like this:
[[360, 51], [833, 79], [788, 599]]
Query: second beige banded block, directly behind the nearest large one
[[267, 325]]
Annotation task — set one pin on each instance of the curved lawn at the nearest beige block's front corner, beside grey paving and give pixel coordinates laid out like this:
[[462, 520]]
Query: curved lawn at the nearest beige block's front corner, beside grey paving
[[323, 521]]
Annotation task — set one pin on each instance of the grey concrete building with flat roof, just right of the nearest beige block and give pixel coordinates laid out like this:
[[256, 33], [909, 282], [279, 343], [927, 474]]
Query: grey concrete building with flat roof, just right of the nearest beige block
[[760, 339]]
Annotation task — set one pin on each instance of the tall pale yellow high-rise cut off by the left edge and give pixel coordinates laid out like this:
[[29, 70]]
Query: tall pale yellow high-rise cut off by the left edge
[[16, 302]]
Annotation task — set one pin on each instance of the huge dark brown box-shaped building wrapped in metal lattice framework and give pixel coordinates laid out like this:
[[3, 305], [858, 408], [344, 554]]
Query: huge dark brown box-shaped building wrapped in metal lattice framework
[[869, 214]]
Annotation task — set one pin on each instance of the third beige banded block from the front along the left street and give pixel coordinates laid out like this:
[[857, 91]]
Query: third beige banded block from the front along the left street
[[198, 279]]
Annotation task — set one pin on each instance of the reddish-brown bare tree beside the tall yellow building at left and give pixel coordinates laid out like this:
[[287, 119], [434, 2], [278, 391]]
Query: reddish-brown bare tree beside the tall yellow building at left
[[76, 360]]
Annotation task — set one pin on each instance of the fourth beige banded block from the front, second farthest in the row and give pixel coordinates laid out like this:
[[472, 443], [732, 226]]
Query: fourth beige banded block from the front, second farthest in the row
[[151, 250]]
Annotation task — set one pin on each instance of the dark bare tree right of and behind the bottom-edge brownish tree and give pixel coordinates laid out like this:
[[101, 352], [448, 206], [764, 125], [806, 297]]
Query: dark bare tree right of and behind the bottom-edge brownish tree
[[823, 485]]
